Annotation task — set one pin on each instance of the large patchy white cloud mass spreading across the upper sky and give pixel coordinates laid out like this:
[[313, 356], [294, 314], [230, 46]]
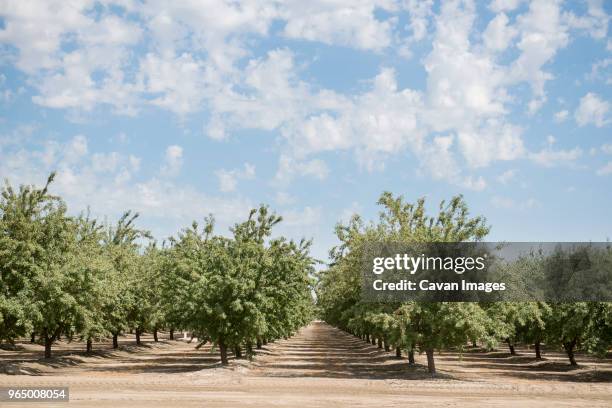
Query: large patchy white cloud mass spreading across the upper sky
[[192, 57]]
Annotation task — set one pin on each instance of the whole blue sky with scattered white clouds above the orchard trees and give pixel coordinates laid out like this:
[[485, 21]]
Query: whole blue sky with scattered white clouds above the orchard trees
[[181, 109]]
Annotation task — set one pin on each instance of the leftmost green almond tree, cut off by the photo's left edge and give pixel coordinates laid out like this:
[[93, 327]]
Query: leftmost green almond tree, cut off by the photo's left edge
[[45, 270]]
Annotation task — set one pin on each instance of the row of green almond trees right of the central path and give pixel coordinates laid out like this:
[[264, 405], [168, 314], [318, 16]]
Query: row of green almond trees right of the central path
[[429, 326]]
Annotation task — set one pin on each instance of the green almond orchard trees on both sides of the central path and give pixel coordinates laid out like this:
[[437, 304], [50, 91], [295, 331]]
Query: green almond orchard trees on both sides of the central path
[[76, 278]]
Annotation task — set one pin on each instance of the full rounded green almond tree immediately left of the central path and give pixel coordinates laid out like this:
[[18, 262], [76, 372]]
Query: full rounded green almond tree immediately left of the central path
[[240, 290]]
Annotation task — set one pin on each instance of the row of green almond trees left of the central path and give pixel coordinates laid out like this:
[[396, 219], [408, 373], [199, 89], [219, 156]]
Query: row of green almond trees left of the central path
[[72, 277]]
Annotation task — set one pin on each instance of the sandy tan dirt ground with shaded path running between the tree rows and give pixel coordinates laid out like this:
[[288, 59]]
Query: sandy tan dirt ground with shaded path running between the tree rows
[[319, 367]]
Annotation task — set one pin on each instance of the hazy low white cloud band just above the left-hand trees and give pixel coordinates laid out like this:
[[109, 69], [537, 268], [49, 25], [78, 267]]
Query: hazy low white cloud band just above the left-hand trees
[[109, 189]]
